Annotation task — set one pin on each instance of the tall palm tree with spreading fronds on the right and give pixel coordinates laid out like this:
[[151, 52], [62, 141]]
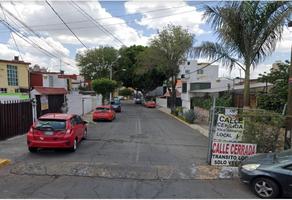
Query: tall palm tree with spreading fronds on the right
[[247, 33]]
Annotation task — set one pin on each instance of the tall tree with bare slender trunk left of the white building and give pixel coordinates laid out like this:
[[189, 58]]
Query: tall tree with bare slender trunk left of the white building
[[167, 51]]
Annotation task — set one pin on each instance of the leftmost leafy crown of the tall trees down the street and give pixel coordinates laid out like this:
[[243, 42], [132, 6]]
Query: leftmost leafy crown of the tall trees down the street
[[96, 63]]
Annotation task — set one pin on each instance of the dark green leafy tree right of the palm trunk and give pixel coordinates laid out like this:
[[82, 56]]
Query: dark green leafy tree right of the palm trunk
[[276, 98]]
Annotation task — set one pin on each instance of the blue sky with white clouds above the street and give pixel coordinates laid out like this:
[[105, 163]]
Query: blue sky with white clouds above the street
[[46, 41]]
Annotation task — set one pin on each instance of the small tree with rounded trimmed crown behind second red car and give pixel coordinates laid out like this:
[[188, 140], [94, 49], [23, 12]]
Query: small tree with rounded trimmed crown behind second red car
[[104, 86]]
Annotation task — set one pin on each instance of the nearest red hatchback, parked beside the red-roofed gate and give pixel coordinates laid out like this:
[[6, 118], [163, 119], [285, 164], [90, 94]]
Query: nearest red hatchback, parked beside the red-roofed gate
[[56, 130]]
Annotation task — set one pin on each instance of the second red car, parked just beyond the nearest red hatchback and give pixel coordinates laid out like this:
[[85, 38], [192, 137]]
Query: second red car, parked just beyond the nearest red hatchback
[[104, 113]]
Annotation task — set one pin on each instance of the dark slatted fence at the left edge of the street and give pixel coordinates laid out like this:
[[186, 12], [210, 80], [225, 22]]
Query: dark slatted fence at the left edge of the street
[[15, 118]]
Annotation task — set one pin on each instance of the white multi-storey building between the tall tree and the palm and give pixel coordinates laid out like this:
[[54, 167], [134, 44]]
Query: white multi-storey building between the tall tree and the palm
[[199, 76]]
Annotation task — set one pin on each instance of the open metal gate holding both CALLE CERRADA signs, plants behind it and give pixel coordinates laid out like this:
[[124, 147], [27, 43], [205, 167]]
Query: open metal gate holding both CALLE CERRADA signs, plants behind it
[[235, 133]]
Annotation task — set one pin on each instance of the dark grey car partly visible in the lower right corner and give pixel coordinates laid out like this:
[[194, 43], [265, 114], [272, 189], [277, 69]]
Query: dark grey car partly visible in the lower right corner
[[269, 175]]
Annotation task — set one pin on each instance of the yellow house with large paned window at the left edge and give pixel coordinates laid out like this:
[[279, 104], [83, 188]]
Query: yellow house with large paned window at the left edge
[[14, 76]]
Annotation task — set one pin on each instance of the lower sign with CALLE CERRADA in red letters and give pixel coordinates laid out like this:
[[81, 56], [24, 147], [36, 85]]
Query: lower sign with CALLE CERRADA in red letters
[[228, 153]]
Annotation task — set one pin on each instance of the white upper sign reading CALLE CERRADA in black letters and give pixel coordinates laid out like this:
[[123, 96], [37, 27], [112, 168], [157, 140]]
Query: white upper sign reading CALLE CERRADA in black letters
[[228, 128]]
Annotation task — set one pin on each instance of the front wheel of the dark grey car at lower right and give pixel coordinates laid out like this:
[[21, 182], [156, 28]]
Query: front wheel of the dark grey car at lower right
[[265, 188]]
